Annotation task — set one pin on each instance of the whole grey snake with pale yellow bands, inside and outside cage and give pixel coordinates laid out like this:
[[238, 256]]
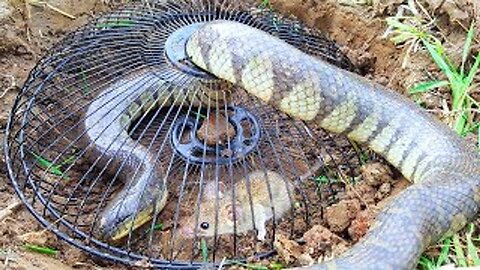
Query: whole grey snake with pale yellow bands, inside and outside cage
[[445, 169]]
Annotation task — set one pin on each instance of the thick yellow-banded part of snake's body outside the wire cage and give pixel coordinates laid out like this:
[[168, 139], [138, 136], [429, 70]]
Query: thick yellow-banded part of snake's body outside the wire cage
[[446, 170]]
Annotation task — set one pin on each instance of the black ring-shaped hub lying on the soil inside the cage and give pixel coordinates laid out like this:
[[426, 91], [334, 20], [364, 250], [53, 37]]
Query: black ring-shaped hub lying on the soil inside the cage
[[247, 135]]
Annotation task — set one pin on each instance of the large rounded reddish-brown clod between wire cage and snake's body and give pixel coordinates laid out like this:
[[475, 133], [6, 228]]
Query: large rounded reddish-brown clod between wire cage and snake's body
[[339, 215]]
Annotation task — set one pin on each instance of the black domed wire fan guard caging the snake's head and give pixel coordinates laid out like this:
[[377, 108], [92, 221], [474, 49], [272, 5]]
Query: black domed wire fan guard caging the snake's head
[[47, 153]]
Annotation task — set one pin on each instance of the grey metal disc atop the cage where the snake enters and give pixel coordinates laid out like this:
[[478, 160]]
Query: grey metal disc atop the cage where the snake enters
[[176, 53]]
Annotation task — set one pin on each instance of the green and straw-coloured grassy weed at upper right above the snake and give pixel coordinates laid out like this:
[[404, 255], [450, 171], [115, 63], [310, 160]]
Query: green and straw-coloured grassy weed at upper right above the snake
[[412, 30]]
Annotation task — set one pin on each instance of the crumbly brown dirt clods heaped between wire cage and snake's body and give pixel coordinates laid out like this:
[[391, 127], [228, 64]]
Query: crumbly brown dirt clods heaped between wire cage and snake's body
[[345, 222]]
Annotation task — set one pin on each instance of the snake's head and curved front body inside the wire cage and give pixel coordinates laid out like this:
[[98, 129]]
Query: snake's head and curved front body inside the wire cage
[[106, 125]]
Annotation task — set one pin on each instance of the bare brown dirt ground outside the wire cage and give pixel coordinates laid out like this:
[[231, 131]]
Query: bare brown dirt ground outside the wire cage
[[27, 31]]
